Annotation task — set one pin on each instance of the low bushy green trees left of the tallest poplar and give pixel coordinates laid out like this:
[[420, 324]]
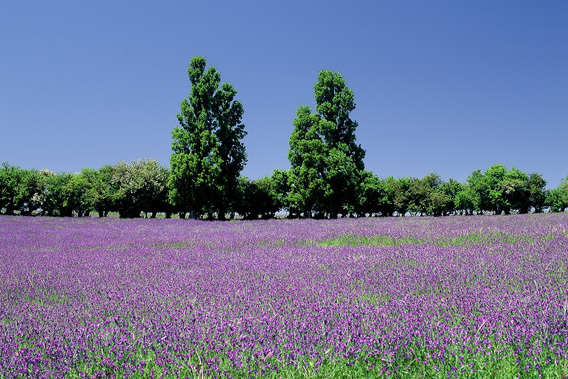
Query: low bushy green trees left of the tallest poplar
[[126, 188]]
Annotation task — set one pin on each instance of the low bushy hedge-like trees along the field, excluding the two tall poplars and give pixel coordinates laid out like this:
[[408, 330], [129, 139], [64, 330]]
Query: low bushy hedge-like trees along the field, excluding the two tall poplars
[[140, 188]]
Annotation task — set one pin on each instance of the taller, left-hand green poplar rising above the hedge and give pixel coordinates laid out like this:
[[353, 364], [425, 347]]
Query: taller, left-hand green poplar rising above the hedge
[[208, 154]]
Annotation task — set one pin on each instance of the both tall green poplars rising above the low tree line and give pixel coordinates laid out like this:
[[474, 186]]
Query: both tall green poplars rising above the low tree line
[[208, 154]]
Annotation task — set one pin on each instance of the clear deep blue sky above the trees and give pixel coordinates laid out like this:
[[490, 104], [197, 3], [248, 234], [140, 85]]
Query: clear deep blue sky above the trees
[[440, 86]]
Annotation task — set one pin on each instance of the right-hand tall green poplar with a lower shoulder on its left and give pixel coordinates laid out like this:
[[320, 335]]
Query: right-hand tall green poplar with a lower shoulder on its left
[[330, 174]]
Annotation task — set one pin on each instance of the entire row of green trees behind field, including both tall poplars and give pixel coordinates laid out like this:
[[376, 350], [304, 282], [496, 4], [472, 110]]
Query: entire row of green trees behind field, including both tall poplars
[[327, 176]]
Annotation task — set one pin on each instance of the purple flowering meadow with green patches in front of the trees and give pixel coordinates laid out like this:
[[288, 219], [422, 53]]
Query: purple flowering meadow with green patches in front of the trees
[[469, 297]]
